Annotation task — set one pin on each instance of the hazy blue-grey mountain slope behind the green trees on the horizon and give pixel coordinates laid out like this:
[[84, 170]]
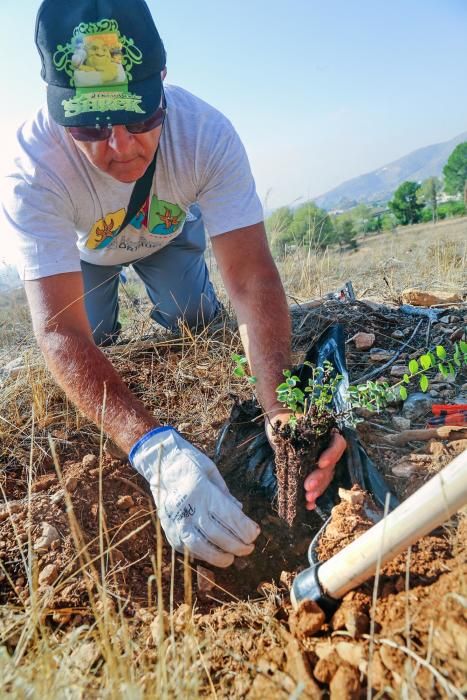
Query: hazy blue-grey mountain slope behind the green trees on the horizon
[[380, 184]]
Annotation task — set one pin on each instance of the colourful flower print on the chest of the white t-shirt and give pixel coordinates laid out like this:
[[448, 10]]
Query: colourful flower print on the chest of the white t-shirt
[[160, 219]]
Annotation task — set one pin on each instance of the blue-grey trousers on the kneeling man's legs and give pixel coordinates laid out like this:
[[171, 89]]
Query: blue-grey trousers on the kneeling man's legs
[[176, 280]]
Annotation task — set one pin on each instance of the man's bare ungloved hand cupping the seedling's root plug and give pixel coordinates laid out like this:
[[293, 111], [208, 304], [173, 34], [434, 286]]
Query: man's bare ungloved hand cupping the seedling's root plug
[[317, 482]]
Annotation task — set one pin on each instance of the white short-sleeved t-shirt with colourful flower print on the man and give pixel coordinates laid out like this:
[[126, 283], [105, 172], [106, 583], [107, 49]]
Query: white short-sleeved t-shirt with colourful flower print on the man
[[62, 208]]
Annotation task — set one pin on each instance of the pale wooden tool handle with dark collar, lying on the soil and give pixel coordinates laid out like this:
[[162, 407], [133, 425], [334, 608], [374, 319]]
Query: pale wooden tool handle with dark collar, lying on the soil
[[424, 511]]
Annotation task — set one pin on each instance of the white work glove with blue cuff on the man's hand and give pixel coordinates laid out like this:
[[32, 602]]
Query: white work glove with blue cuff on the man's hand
[[194, 505]]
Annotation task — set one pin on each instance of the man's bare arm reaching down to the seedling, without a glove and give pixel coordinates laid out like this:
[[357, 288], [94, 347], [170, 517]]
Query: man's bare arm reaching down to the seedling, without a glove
[[256, 292]]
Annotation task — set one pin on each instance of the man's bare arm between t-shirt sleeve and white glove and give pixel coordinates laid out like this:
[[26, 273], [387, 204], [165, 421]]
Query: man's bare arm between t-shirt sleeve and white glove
[[80, 368]]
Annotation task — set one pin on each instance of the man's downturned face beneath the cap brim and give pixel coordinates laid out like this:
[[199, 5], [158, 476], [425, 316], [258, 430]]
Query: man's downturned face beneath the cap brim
[[124, 156]]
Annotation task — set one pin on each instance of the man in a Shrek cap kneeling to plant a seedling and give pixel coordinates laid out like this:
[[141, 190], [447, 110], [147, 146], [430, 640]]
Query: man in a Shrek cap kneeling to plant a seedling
[[109, 121]]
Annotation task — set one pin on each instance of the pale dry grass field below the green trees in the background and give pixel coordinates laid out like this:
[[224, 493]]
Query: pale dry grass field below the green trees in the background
[[423, 256]]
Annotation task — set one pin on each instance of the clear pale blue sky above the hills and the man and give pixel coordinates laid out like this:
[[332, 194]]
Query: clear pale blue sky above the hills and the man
[[319, 91]]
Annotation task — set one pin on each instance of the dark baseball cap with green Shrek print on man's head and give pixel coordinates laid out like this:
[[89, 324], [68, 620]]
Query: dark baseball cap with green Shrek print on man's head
[[101, 60]]
